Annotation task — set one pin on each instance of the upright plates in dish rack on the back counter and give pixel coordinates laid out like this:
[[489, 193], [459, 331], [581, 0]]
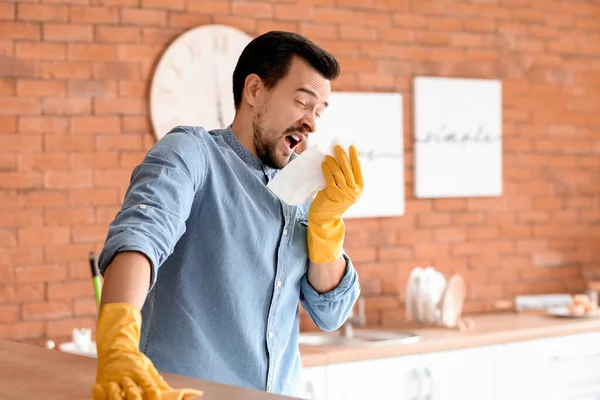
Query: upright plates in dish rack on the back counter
[[433, 300]]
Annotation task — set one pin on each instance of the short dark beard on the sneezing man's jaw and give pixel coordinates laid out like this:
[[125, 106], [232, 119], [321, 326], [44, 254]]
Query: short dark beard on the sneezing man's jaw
[[267, 143]]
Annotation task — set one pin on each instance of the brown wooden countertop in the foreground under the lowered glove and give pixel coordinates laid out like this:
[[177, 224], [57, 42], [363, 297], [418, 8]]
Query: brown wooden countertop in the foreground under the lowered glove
[[30, 372]]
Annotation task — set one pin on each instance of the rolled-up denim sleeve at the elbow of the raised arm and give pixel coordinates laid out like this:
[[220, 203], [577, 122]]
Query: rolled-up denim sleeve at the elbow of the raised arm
[[329, 310]]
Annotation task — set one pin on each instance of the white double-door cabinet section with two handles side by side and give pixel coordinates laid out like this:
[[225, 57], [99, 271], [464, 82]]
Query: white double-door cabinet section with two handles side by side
[[460, 374]]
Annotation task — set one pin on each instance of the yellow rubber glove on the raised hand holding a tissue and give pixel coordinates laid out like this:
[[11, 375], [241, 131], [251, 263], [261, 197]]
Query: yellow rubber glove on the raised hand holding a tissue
[[325, 224]]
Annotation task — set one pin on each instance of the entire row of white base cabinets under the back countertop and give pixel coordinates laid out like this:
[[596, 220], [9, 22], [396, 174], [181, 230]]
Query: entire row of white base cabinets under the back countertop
[[559, 368]]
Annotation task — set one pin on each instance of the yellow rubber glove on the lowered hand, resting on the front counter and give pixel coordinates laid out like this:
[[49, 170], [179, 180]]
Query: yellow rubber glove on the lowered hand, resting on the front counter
[[123, 371]]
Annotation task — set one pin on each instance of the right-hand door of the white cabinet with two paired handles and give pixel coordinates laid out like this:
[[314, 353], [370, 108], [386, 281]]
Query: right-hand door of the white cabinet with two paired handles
[[467, 374]]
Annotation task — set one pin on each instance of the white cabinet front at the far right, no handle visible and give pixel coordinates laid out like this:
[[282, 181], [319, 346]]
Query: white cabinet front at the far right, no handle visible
[[565, 368]]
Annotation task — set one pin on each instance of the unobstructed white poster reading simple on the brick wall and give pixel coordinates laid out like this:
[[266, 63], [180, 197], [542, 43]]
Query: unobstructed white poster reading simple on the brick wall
[[457, 137]]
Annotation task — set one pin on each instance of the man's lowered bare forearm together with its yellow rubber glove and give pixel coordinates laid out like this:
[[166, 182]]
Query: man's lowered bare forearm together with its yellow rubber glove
[[123, 371]]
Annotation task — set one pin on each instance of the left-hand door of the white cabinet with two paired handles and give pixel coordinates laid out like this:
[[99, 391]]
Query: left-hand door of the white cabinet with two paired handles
[[393, 378]]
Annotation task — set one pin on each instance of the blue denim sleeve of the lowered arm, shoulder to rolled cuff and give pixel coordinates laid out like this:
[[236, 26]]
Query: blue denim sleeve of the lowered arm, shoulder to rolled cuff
[[158, 200]]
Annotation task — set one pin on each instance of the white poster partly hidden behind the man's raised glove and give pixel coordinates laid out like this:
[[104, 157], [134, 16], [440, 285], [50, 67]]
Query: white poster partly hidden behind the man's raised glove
[[373, 123]]
